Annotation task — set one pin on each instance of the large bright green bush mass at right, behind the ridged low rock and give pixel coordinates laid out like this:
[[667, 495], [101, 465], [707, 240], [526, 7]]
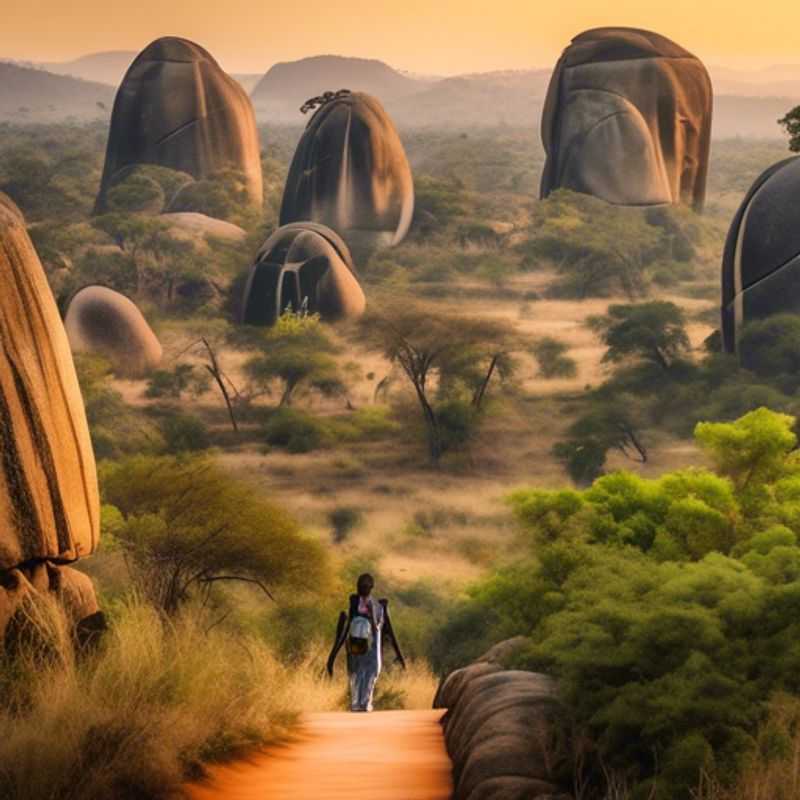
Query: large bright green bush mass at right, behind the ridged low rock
[[668, 608]]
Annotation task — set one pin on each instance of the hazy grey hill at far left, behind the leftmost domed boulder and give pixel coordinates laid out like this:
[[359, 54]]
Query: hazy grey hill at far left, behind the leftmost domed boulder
[[33, 95]]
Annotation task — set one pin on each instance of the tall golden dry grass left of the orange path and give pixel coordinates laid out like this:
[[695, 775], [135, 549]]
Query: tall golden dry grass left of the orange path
[[143, 712]]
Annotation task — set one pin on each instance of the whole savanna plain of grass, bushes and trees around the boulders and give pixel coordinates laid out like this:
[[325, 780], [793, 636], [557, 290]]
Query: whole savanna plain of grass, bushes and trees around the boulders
[[508, 342]]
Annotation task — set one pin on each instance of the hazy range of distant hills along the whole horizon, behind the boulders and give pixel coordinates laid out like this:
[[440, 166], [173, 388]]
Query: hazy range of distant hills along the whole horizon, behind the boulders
[[746, 104]]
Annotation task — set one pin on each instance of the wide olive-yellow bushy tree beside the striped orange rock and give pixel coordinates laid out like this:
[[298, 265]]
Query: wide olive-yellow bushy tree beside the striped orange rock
[[189, 526]]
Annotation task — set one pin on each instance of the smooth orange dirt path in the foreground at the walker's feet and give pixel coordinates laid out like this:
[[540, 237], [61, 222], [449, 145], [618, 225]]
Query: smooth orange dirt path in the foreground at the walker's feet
[[388, 755]]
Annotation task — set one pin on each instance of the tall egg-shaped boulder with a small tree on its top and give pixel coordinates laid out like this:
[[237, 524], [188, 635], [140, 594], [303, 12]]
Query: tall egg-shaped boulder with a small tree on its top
[[350, 172]]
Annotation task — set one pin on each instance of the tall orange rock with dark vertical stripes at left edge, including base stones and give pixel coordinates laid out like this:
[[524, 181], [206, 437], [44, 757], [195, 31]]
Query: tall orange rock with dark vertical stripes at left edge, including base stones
[[49, 506]]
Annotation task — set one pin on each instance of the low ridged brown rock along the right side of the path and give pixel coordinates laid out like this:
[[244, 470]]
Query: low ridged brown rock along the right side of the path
[[501, 733]]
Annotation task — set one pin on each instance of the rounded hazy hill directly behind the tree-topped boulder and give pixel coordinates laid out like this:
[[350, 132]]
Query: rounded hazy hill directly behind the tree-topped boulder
[[287, 85]]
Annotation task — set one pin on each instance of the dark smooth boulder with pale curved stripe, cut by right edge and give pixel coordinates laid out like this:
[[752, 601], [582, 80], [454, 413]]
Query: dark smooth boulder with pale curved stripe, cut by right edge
[[761, 261]]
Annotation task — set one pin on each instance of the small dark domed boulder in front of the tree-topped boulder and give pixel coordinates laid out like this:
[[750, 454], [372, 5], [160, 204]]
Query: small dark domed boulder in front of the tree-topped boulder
[[302, 265]]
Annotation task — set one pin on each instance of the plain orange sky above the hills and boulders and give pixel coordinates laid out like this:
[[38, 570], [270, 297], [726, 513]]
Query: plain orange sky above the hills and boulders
[[433, 36]]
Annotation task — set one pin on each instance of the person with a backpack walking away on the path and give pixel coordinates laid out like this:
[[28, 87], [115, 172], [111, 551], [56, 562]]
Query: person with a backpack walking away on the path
[[363, 630]]
